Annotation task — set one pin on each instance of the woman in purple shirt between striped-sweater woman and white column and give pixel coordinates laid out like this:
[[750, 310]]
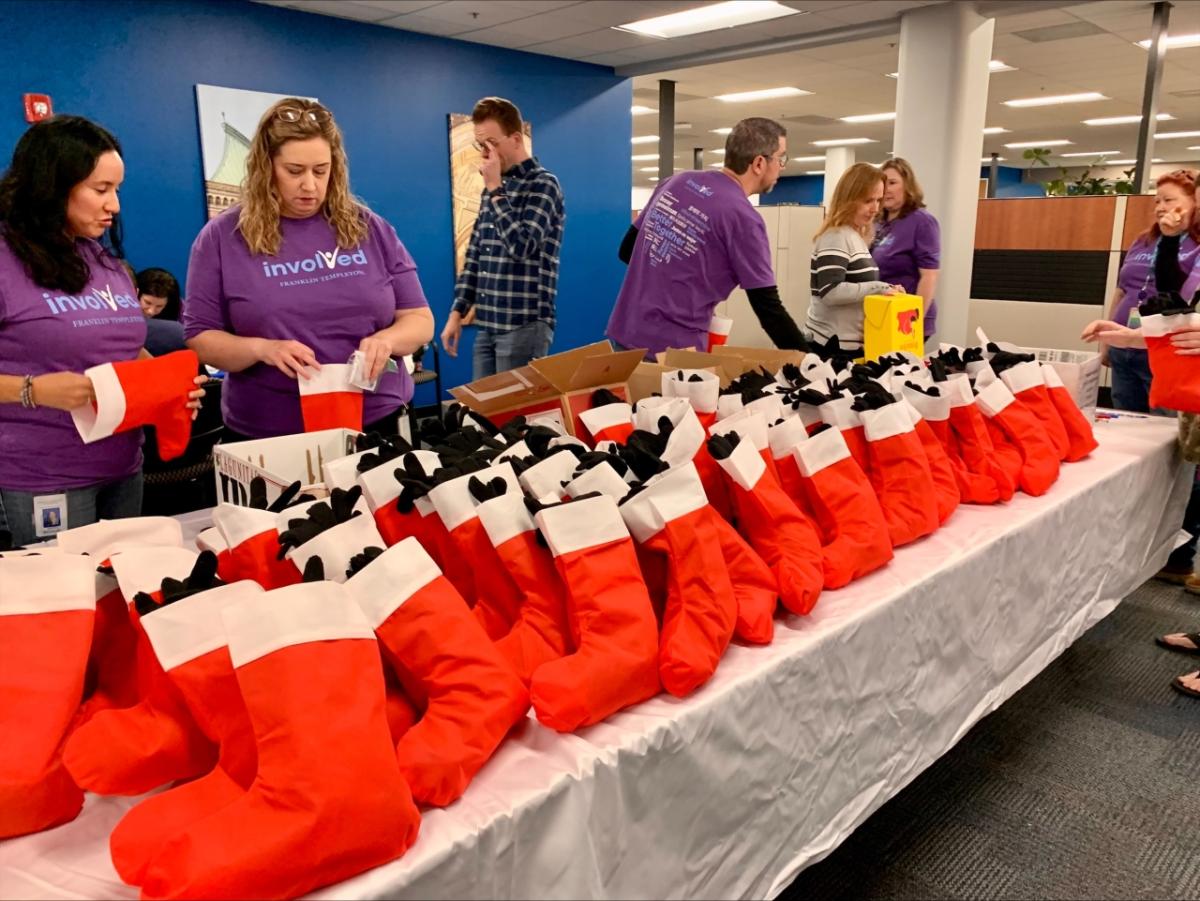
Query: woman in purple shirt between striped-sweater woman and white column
[[908, 247]]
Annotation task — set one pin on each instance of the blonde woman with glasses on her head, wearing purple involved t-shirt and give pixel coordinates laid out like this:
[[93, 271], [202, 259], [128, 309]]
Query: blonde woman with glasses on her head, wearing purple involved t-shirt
[[301, 274]]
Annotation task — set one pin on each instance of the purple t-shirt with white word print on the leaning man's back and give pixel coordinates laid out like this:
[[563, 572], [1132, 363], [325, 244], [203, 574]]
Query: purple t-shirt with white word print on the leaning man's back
[[699, 239]]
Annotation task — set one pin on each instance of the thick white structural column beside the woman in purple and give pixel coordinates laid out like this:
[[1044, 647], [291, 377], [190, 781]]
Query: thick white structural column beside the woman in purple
[[941, 106]]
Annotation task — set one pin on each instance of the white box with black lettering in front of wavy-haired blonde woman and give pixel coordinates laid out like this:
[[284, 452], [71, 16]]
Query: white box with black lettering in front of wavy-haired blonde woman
[[280, 462]]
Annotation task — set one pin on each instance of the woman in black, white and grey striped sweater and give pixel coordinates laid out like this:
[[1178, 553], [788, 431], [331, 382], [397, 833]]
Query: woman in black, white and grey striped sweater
[[843, 272]]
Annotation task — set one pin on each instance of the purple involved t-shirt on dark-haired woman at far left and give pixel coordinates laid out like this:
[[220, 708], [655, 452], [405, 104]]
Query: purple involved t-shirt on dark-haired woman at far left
[[46, 331]]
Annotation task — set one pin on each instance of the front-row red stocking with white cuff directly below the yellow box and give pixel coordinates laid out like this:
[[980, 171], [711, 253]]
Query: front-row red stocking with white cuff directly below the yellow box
[[901, 474]]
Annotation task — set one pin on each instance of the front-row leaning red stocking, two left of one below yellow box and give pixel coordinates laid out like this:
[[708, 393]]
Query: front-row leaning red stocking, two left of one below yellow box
[[773, 525]]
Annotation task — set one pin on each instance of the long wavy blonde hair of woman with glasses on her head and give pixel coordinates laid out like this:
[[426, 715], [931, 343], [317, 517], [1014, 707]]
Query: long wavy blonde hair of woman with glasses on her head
[[260, 218]]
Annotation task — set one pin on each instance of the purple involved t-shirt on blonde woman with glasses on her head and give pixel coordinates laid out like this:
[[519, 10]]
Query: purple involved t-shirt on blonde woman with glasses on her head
[[313, 292]]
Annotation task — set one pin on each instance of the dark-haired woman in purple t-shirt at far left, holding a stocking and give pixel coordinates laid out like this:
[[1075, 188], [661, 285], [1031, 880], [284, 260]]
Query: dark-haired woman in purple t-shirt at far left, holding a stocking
[[67, 304]]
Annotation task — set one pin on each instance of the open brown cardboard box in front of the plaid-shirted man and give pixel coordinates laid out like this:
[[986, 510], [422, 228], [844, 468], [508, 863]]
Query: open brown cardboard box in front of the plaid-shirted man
[[561, 382]]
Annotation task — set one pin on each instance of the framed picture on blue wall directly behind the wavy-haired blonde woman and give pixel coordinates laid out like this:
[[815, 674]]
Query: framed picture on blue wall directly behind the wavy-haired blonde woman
[[229, 118]]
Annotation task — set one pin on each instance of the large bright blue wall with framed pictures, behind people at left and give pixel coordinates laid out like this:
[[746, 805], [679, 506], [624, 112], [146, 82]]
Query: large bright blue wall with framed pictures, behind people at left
[[133, 67]]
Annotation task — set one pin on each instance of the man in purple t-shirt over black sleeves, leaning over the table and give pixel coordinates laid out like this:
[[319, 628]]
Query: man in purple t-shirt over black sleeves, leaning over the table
[[700, 238]]
